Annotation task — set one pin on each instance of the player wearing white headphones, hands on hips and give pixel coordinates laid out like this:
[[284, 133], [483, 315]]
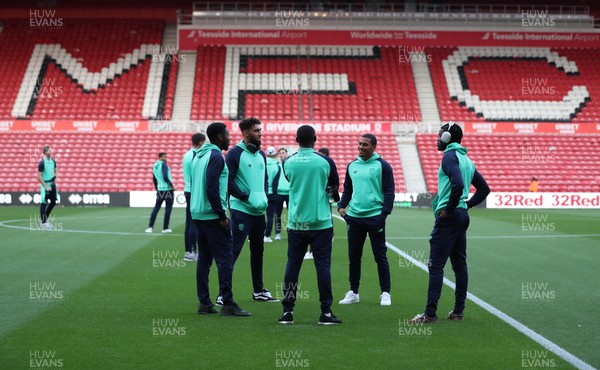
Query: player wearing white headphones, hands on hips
[[449, 236]]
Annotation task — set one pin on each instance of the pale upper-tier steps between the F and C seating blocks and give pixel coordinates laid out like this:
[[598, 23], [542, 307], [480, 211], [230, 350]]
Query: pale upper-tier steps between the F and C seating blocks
[[424, 87]]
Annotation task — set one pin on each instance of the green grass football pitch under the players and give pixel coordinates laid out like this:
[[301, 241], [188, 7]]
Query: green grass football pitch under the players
[[99, 293]]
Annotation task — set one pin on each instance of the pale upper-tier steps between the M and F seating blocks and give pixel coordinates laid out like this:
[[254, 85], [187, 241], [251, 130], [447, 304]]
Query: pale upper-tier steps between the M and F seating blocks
[[184, 90]]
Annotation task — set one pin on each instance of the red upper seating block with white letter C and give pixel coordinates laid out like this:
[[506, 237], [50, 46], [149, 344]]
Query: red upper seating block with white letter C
[[515, 84]]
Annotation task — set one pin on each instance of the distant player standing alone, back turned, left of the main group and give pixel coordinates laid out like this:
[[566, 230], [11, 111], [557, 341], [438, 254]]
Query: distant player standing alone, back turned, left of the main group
[[165, 192]]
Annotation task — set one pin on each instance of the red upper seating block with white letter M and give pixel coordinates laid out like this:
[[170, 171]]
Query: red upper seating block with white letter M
[[88, 69]]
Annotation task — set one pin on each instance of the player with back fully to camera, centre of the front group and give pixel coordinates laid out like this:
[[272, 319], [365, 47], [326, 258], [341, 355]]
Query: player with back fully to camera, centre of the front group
[[313, 178]]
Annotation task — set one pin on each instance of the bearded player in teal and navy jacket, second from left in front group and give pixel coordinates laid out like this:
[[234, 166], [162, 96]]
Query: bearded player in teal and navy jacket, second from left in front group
[[248, 189]]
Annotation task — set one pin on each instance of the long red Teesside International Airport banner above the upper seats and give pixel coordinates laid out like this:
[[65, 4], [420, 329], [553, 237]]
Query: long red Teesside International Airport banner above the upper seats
[[191, 37]]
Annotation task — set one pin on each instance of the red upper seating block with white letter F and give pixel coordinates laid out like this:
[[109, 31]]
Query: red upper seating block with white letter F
[[303, 83]]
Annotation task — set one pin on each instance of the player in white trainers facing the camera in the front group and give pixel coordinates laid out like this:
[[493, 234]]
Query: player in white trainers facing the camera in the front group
[[367, 200]]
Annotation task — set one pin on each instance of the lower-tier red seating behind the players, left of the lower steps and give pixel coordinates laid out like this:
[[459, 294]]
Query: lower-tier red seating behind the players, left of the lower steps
[[119, 162]]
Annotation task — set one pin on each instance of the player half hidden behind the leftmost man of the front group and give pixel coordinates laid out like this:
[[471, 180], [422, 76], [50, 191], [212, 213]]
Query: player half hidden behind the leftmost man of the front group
[[189, 239]]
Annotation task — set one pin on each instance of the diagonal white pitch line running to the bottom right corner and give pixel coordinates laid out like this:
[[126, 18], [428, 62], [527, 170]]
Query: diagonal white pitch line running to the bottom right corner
[[538, 338]]
